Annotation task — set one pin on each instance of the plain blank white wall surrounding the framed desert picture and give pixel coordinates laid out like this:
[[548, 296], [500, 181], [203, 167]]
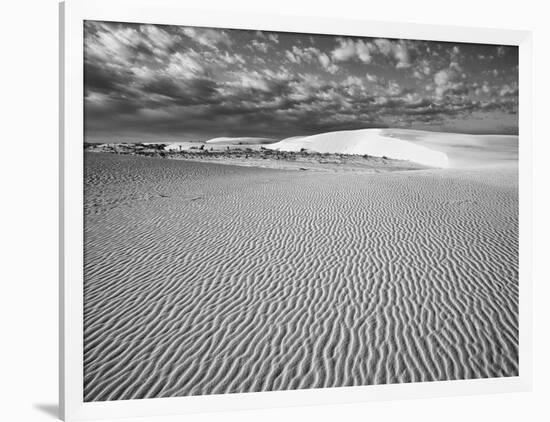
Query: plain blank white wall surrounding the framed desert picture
[[28, 209]]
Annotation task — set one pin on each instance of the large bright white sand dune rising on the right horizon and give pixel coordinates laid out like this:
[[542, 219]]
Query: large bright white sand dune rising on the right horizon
[[433, 149]]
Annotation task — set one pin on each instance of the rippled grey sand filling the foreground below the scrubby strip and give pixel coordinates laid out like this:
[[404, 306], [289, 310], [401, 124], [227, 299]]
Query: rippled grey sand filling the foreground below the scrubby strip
[[208, 279]]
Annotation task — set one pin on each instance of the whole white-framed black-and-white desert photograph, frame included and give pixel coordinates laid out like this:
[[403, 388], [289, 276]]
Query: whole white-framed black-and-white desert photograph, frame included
[[263, 211]]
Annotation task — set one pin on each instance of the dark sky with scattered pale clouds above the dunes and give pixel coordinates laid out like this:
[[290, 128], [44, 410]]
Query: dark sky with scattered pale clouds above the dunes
[[160, 83]]
